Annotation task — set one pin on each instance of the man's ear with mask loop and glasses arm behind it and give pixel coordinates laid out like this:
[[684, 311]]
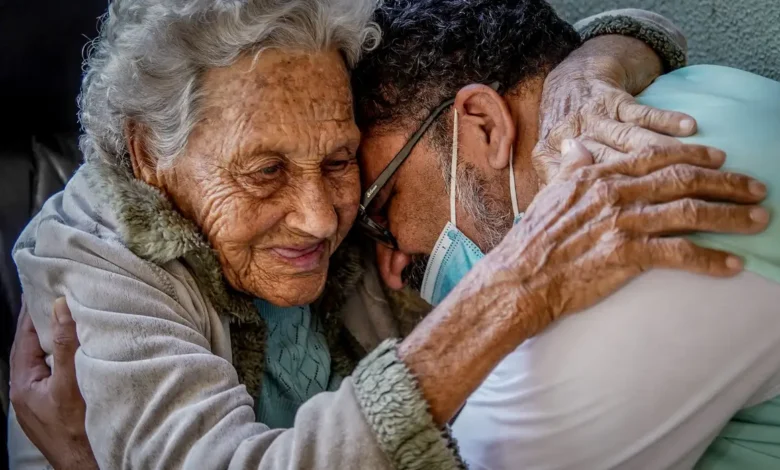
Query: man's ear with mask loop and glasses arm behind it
[[485, 112]]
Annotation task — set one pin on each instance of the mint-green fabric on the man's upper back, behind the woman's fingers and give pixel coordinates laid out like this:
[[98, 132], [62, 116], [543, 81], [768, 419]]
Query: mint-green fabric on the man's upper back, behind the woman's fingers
[[738, 112]]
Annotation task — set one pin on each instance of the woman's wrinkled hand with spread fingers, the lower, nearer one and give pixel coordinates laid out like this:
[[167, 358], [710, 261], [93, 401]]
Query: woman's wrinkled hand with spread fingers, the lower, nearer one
[[596, 226]]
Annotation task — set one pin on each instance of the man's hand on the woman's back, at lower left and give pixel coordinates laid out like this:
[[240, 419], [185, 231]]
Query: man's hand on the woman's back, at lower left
[[49, 405]]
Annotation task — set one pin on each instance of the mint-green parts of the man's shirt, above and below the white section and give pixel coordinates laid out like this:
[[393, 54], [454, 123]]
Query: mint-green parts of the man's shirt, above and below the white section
[[740, 113]]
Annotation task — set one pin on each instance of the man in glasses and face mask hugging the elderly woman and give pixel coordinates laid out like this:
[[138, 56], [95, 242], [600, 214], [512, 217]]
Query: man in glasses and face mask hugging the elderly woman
[[647, 378]]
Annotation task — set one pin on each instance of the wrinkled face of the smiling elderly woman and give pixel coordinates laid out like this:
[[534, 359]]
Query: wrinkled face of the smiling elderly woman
[[270, 174]]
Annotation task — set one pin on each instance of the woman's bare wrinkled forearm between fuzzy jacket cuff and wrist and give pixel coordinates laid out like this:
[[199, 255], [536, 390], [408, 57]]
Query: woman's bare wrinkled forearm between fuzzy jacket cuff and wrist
[[457, 346]]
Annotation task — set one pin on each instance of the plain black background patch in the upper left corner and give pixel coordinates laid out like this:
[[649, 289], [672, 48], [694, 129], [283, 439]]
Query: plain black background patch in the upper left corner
[[40, 62]]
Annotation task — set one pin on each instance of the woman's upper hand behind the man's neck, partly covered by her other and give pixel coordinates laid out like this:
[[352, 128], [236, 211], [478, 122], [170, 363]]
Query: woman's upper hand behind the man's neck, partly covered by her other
[[587, 97]]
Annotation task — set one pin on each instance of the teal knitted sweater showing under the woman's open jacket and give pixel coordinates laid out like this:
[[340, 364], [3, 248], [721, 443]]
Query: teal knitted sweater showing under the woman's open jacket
[[297, 363]]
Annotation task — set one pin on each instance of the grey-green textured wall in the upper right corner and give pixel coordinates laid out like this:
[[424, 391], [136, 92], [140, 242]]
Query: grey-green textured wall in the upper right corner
[[738, 33]]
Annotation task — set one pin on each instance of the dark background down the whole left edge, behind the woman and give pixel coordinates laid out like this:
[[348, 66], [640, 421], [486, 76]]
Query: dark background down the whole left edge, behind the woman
[[41, 44]]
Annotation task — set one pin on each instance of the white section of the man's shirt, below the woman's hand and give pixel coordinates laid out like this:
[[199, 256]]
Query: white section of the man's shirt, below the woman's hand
[[643, 380]]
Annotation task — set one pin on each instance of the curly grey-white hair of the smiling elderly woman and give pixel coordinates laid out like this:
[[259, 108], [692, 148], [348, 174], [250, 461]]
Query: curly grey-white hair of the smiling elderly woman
[[146, 64]]
